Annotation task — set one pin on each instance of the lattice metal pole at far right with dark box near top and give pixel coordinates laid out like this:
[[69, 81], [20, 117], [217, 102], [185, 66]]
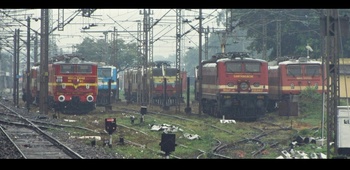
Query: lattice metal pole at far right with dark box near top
[[332, 28]]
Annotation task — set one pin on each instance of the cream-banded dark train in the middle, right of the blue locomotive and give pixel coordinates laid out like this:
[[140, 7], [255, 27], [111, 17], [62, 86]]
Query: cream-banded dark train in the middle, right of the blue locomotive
[[164, 89]]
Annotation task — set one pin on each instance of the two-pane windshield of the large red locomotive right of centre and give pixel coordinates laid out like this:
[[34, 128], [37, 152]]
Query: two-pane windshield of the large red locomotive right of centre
[[248, 67]]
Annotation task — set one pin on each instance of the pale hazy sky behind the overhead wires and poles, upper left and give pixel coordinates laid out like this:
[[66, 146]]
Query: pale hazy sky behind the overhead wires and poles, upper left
[[125, 21]]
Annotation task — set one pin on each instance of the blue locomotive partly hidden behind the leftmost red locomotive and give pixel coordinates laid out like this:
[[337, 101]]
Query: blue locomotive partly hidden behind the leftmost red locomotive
[[107, 85]]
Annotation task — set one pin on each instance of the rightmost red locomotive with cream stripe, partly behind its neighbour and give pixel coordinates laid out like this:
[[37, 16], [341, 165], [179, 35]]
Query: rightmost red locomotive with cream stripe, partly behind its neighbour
[[288, 78]]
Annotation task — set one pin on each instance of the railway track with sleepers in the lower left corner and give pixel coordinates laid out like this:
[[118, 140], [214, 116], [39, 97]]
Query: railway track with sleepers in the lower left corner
[[28, 141]]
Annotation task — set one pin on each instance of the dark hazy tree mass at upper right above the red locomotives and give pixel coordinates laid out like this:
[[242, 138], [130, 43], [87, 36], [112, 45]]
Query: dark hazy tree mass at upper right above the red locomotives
[[298, 28]]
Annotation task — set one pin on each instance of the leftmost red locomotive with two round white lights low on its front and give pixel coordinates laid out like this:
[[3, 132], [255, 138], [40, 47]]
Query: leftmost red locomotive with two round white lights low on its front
[[72, 84]]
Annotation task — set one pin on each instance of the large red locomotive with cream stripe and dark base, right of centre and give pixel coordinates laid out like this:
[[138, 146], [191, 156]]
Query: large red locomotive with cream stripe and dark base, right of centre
[[234, 85]]
